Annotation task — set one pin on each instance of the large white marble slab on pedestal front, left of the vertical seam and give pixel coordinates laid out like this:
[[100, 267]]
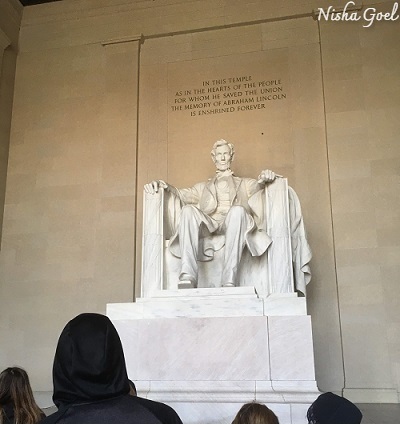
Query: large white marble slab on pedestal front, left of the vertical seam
[[196, 349]]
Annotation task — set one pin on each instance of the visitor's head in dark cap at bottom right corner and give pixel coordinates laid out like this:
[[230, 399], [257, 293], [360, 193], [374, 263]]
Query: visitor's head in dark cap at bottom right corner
[[332, 409]]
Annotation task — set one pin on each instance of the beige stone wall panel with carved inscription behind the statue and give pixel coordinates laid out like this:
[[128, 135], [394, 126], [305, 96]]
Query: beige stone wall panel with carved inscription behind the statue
[[260, 87]]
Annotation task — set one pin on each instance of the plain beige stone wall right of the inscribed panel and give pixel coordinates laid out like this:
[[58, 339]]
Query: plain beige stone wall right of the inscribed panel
[[362, 99]]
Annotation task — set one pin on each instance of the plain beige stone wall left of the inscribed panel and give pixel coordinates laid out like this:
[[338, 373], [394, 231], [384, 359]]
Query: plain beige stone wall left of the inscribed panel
[[68, 242]]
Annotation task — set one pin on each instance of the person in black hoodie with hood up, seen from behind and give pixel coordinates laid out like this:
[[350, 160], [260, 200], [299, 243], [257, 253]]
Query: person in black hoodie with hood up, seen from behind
[[90, 381]]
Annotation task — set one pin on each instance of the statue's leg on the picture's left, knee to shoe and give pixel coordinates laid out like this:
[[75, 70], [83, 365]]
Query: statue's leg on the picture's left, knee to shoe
[[189, 228]]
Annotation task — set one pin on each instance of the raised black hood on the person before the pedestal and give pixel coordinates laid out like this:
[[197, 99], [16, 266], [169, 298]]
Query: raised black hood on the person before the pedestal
[[89, 364]]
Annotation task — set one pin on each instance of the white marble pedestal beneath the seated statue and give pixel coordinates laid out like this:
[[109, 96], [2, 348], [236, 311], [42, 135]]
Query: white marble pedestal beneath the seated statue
[[205, 352]]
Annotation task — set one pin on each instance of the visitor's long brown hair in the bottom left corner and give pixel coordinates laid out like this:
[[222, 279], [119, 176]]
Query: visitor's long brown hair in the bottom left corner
[[15, 390]]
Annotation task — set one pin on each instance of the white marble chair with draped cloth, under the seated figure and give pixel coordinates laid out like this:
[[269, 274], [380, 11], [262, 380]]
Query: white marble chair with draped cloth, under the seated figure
[[283, 268]]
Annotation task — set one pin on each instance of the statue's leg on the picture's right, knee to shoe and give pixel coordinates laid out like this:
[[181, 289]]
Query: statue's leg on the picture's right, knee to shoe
[[236, 224]]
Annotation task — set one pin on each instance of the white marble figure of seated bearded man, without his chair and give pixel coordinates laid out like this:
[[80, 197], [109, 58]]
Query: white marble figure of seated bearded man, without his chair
[[220, 207]]
